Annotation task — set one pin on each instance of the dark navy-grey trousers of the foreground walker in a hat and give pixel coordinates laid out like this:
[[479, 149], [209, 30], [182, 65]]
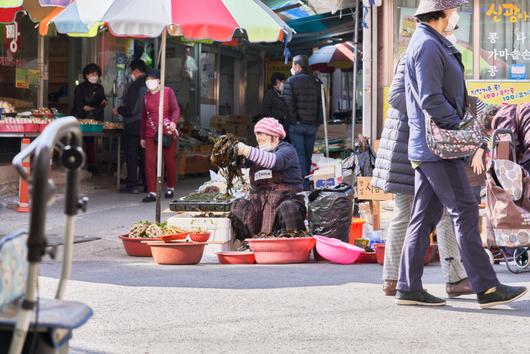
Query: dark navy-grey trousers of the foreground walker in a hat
[[437, 185]]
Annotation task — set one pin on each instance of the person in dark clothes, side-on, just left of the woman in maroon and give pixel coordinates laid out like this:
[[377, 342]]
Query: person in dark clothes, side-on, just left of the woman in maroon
[[131, 113]]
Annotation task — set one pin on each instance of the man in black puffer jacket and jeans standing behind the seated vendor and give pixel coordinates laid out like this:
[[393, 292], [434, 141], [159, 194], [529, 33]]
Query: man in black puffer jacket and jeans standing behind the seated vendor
[[302, 95]]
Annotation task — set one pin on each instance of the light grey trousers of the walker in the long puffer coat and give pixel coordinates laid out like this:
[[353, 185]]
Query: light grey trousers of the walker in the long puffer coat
[[452, 267]]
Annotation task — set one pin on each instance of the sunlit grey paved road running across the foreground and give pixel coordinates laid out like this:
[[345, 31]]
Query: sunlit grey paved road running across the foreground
[[144, 308]]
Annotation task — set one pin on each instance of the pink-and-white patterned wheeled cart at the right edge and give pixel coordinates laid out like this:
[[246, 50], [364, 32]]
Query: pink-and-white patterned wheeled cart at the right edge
[[508, 204]]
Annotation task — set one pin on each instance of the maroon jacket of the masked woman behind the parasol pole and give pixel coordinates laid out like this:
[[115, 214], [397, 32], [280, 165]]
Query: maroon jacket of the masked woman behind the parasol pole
[[150, 108]]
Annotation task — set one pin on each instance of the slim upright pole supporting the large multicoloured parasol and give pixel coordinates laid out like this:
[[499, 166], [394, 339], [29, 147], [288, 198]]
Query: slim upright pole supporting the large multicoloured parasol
[[160, 125]]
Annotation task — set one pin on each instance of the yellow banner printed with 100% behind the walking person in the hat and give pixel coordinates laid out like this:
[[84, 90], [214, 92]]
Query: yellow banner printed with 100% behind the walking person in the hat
[[500, 92]]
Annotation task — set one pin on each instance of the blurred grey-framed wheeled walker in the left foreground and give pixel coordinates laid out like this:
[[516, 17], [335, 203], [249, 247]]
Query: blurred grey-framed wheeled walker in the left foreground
[[29, 324]]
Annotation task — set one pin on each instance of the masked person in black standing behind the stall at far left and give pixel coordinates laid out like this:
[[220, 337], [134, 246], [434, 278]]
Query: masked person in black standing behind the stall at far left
[[89, 103]]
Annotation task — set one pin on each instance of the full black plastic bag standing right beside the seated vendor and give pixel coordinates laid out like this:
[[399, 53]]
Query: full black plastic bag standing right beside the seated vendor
[[330, 212]]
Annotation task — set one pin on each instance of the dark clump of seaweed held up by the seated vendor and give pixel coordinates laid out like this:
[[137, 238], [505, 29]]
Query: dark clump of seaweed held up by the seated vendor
[[225, 157]]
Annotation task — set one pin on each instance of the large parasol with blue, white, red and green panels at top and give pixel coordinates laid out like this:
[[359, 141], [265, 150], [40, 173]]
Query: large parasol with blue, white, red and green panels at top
[[223, 20]]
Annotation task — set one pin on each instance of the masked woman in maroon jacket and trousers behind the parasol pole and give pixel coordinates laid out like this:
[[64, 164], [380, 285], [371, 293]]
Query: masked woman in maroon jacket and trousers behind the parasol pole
[[149, 134]]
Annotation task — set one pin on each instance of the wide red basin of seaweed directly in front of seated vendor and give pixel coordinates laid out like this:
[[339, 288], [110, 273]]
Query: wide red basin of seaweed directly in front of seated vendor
[[282, 250]]
